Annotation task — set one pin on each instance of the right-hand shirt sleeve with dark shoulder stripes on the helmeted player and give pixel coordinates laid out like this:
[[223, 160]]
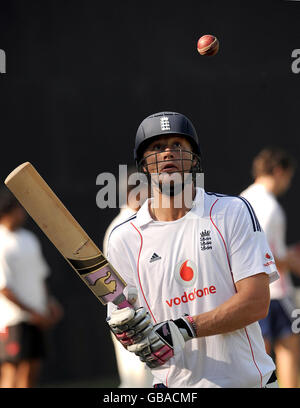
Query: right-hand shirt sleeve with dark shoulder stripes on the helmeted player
[[249, 251]]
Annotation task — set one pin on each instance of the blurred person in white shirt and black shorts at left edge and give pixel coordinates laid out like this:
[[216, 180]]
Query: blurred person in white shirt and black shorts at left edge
[[26, 308]]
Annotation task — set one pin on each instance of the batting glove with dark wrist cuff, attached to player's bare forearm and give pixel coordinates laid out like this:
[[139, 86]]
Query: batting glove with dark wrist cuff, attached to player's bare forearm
[[164, 340]]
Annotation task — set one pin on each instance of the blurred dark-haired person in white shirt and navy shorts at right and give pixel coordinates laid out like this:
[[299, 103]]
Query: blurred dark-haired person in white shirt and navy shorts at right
[[272, 170]]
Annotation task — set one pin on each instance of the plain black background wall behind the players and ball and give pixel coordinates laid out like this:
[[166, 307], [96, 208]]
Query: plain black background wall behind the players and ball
[[80, 78]]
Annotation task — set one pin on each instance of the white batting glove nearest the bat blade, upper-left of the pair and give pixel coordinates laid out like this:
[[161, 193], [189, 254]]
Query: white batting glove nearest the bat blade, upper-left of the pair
[[130, 326]]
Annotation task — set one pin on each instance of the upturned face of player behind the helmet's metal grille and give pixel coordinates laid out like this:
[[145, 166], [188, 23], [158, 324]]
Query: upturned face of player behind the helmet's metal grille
[[168, 154]]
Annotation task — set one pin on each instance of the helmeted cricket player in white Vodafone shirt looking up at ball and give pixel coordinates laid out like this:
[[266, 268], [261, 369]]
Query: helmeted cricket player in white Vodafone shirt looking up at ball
[[202, 267]]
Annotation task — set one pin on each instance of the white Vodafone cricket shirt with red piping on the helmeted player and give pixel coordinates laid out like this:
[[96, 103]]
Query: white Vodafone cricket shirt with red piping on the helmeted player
[[190, 266]]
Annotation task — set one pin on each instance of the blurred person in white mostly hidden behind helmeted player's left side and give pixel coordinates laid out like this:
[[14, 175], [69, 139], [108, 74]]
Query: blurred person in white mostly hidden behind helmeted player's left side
[[132, 372]]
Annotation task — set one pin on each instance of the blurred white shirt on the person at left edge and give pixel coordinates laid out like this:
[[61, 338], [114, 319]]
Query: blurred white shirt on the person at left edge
[[23, 270]]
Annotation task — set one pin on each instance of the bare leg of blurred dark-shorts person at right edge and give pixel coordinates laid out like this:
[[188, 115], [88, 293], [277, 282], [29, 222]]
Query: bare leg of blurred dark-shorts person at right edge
[[287, 361]]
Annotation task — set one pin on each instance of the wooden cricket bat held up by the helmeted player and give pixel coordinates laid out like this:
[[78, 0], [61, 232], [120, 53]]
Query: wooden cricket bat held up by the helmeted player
[[67, 235]]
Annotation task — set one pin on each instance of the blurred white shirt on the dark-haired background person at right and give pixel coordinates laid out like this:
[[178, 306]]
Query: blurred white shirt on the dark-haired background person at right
[[273, 221]]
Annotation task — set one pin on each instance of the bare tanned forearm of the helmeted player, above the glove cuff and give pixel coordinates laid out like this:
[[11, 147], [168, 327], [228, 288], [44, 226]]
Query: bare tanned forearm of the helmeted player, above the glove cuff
[[234, 314]]
